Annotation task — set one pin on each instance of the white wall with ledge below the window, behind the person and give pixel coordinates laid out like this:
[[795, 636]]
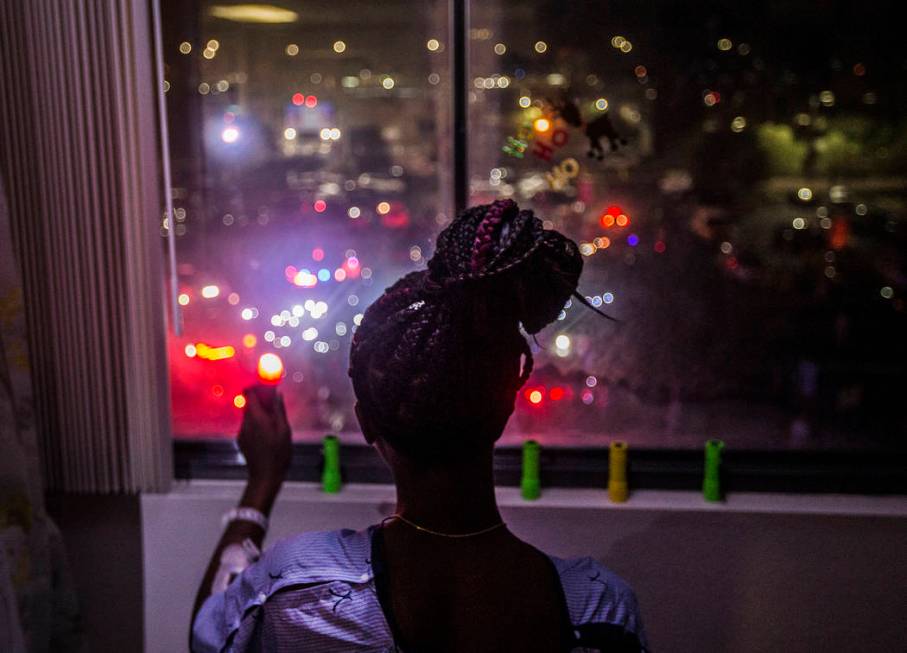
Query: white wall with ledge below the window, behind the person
[[760, 573]]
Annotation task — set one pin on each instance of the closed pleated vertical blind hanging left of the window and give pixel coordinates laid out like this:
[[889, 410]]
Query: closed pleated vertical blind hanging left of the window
[[78, 152]]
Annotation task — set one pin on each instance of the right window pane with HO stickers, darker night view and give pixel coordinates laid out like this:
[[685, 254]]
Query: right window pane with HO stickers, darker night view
[[735, 174]]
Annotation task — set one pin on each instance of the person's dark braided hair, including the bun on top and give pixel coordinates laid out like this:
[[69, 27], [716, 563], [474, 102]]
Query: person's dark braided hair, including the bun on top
[[436, 360]]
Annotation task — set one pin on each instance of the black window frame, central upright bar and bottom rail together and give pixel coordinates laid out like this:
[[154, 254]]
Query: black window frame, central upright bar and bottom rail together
[[756, 470]]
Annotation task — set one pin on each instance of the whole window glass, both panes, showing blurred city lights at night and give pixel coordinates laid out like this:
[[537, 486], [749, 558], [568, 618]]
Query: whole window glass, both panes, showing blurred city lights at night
[[733, 173]]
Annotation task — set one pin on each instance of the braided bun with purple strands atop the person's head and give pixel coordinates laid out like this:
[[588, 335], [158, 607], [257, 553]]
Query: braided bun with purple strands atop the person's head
[[501, 255]]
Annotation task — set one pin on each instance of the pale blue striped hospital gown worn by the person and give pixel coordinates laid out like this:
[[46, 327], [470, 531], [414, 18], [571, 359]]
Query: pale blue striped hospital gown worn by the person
[[317, 592]]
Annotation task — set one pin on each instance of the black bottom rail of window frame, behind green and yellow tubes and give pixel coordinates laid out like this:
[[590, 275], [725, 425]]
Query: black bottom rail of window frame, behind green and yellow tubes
[[797, 472]]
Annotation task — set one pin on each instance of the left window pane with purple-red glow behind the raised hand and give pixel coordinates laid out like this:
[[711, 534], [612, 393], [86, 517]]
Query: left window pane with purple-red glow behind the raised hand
[[309, 148]]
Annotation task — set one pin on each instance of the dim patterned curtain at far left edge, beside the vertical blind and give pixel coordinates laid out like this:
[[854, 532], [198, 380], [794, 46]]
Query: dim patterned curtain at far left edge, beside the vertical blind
[[38, 610]]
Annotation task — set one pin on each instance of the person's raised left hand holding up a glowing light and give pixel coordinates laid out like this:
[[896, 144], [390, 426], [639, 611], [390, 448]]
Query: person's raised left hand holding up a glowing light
[[264, 437]]
